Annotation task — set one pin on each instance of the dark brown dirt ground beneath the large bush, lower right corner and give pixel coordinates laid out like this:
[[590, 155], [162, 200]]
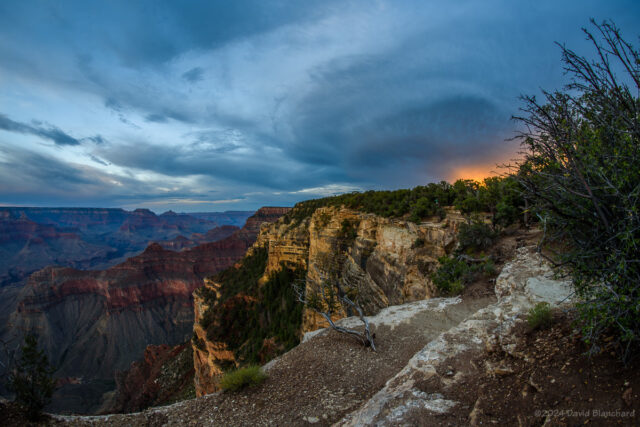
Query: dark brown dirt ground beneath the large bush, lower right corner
[[551, 382]]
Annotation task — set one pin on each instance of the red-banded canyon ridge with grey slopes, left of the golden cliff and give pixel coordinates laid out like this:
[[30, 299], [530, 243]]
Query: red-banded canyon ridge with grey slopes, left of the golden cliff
[[92, 323]]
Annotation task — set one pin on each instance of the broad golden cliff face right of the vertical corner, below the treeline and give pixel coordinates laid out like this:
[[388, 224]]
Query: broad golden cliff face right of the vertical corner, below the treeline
[[387, 260]]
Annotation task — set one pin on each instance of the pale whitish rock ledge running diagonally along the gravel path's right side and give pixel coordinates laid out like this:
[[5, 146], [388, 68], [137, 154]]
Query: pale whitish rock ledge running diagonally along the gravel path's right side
[[523, 282]]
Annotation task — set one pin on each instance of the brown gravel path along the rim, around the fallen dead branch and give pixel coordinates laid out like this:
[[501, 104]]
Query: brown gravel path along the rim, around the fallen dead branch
[[320, 380]]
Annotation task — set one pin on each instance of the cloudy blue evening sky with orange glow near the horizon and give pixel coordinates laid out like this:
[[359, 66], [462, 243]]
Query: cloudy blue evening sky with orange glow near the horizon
[[233, 105]]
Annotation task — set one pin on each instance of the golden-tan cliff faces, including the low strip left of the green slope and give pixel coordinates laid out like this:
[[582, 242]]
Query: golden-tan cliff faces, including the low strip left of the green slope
[[388, 261]]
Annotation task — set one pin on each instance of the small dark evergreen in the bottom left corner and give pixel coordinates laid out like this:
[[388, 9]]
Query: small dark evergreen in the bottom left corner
[[32, 380]]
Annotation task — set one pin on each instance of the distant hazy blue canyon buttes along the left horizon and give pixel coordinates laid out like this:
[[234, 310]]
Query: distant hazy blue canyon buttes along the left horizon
[[83, 238]]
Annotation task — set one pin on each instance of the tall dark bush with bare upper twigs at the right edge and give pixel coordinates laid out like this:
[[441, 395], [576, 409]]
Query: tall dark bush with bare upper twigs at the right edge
[[581, 175]]
